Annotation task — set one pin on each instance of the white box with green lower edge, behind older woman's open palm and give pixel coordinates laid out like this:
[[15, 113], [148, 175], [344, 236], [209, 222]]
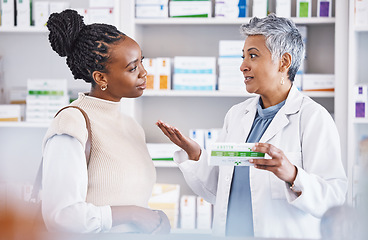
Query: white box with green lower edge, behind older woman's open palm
[[162, 151]]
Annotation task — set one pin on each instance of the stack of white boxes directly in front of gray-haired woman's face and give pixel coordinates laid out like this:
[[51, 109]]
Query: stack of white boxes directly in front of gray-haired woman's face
[[230, 77]]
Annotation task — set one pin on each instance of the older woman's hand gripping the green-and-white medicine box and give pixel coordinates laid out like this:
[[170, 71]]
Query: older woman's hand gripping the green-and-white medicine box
[[279, 164]]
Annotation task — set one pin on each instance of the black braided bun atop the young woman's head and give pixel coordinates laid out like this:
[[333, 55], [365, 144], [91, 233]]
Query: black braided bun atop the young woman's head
[[64, 28]]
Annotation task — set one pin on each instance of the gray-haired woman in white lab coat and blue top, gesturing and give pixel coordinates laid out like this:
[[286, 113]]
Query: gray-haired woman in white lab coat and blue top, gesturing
[[284, 196]]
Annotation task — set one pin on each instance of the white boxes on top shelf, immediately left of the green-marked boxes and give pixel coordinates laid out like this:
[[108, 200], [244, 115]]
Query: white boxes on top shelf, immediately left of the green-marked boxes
[[152, 8]]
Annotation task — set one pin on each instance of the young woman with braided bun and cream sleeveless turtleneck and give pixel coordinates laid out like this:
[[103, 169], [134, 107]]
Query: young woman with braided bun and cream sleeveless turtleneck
[[112, 193]]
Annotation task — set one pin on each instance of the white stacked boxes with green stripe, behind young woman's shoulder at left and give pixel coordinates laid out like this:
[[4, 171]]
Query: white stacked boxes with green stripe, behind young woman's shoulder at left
[[45, 98]]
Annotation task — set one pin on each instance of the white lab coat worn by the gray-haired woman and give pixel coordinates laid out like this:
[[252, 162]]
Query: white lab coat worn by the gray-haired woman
[[307, 135]]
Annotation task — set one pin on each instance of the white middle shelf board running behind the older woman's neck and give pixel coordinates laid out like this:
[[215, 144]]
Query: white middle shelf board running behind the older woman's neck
[[176, 93]]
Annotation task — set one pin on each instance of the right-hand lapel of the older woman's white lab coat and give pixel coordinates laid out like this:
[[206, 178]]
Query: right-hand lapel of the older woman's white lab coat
[[281, 120]]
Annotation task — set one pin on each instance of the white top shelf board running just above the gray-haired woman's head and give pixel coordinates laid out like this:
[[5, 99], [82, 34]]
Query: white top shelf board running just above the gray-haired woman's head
[[222, 21]]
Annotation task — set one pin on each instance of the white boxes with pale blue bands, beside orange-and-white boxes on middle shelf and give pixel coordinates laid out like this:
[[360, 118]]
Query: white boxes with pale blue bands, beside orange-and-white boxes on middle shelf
[[194, 73]]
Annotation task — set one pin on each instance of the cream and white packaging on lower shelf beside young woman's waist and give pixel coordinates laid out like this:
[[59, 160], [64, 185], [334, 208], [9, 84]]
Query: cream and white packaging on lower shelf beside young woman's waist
[[166, 197]]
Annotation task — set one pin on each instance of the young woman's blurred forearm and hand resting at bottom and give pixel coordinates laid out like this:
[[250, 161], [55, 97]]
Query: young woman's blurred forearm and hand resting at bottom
[[146, 220]]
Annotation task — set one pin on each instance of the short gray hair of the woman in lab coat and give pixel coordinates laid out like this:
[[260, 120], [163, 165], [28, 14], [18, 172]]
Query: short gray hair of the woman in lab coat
[[282, 36]]
